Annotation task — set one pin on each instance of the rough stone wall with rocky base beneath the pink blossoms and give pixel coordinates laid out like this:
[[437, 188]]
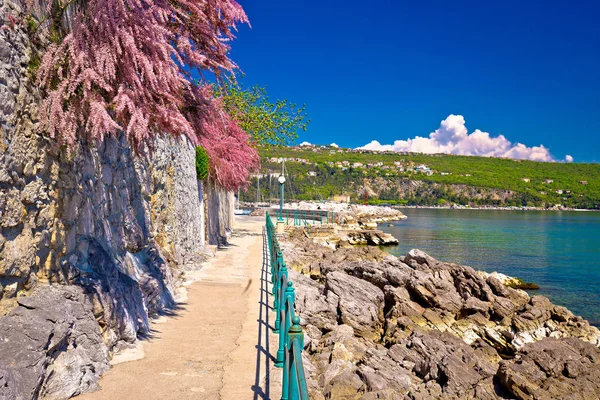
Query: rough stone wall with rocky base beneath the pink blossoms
[[108, 229]]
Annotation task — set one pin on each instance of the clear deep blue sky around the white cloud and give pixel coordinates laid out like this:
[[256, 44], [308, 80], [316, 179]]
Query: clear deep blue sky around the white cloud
[[393, 70]]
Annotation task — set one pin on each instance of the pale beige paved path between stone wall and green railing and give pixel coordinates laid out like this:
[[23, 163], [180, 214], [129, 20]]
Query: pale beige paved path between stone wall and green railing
[[218, 344]]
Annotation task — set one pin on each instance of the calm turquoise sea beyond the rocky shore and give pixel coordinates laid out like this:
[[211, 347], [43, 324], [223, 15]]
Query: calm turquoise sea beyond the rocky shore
[[560, 251]]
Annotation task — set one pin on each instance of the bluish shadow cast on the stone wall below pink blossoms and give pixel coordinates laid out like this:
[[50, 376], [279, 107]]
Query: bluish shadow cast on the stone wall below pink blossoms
[[105, 245]]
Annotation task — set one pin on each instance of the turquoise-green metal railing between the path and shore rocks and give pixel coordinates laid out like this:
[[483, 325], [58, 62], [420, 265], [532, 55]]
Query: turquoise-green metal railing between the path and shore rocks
[[287, 323]]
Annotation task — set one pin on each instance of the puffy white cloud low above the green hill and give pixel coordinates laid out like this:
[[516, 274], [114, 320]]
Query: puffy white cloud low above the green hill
[[452, 137]]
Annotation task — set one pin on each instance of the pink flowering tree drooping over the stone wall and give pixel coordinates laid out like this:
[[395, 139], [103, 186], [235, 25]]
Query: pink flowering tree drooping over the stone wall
[[125, 65]]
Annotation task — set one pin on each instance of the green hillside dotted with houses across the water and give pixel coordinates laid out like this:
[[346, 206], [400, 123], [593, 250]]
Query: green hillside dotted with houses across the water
[[319, 172]]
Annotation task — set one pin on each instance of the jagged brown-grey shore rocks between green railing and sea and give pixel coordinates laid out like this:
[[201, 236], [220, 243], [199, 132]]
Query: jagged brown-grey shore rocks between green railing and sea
[[381, 327]]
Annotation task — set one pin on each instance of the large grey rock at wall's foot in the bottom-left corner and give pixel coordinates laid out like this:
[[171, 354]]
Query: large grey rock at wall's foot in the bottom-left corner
[[51, 346]]
